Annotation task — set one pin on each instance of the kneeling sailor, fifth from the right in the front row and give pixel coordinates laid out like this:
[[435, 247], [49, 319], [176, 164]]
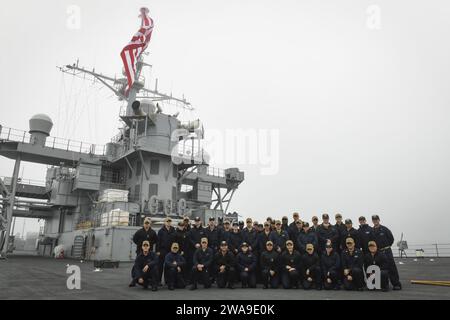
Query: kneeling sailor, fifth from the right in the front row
[[290, 264]]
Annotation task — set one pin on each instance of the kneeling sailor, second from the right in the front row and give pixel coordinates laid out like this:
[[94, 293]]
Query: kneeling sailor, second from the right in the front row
[[352, 264]]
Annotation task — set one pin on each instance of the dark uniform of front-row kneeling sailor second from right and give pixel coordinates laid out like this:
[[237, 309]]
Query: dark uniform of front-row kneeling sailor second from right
[[354, 262]]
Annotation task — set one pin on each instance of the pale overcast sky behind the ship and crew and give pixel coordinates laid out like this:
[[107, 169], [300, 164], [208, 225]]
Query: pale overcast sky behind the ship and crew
[[355, 92]]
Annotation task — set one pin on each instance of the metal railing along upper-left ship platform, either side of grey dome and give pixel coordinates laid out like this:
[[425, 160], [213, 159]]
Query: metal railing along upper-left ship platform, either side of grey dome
[[10, 134]]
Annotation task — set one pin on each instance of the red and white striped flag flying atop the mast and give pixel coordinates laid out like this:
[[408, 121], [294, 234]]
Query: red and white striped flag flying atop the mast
[[137, 45]]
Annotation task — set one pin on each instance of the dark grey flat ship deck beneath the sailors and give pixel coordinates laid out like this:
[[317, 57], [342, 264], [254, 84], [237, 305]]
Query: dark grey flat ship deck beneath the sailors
[[31, 277]]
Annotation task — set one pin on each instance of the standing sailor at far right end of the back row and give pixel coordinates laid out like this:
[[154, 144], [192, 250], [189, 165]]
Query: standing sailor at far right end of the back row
[[384, 239]]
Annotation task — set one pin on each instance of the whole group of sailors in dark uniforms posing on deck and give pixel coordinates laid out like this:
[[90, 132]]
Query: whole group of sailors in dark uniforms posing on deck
[[320, 256]]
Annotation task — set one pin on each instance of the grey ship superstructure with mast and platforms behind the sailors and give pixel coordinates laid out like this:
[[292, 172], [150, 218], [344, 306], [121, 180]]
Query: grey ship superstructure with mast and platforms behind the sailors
[[95, 197]]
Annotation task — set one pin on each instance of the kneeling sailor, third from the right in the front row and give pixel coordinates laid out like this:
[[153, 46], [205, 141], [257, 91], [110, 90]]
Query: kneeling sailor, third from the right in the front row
[[330, 264]]
